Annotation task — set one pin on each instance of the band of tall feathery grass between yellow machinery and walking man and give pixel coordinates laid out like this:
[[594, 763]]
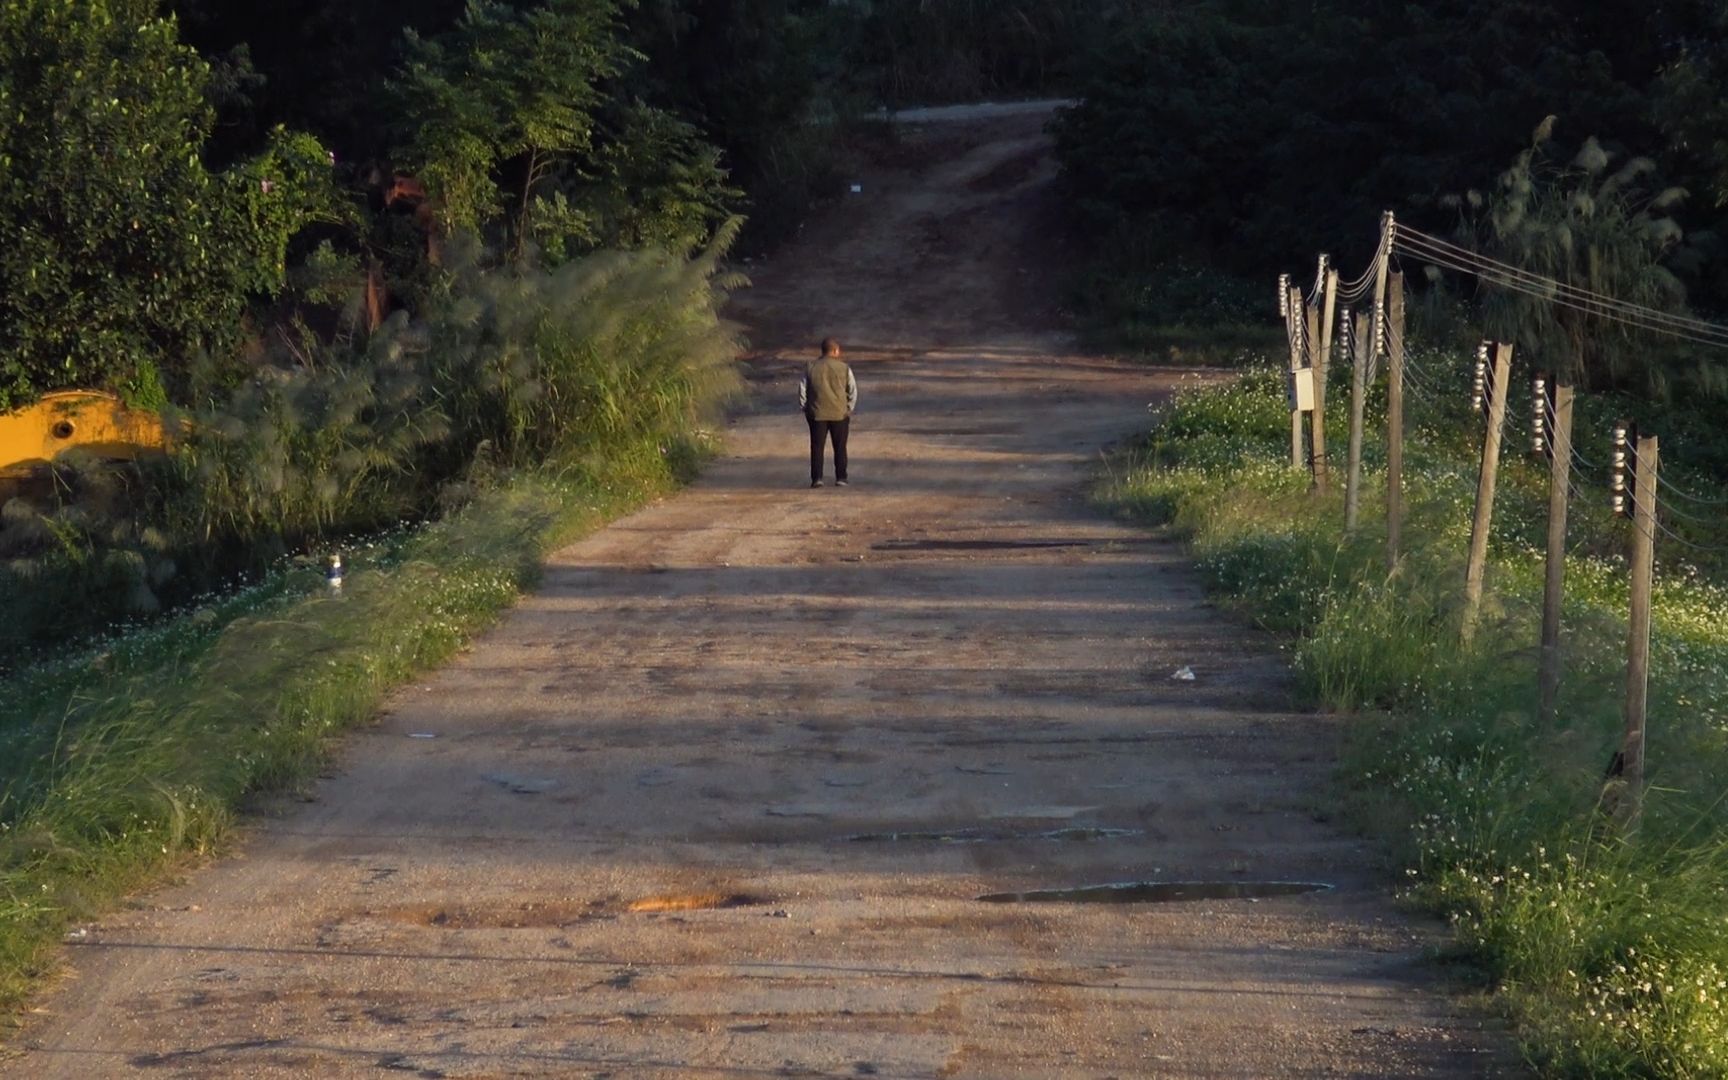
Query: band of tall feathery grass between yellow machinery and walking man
[[504, 367]]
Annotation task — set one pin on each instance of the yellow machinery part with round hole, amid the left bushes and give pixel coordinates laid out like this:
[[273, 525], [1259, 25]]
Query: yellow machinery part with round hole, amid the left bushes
[[91, 421]]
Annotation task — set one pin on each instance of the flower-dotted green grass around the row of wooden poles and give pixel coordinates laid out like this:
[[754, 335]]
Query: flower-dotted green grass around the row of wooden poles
[[1611, 951]]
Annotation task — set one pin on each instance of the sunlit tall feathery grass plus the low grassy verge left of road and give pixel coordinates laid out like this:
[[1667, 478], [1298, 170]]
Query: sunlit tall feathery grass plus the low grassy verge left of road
[[557, 400]]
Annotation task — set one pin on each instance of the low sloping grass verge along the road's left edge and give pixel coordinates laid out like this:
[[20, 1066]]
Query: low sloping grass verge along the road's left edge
[[124, 765]]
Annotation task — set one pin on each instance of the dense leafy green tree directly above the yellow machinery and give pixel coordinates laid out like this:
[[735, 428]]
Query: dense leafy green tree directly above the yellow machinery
[[122, 255]]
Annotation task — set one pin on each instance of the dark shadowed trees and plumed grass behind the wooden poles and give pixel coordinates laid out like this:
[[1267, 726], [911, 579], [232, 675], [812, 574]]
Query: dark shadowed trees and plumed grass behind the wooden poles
[[1250, 137]]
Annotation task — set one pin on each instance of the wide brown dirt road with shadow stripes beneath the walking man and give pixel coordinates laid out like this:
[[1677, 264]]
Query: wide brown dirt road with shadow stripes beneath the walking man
[[721, 799]]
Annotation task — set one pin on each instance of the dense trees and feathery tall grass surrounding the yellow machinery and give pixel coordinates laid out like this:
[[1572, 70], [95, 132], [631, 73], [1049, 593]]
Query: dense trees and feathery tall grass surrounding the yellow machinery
[[333, 362]]
